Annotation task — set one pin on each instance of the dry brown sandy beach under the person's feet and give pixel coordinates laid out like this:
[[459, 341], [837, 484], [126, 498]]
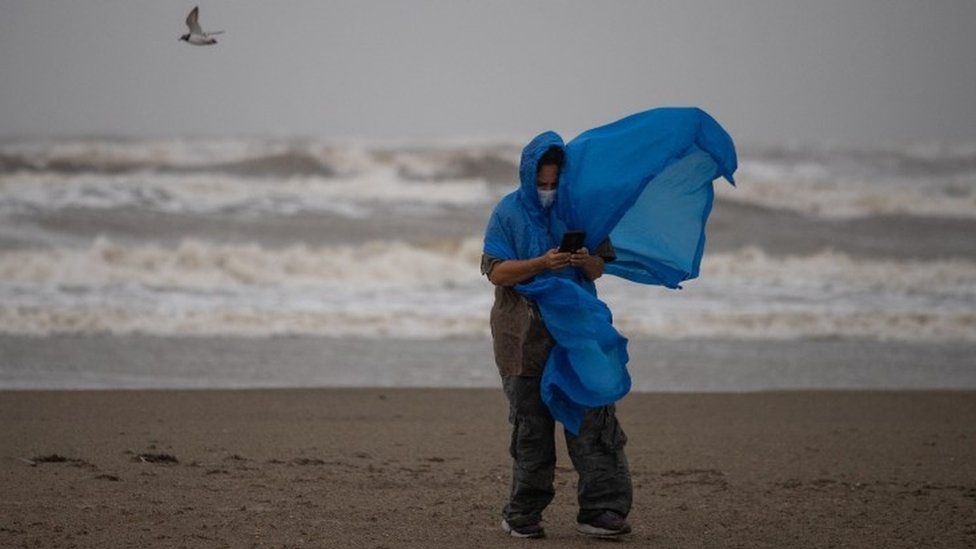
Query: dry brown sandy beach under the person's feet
[[429, 468]]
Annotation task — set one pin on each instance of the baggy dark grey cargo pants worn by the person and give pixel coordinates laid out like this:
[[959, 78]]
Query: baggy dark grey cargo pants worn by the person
[[597, 454]]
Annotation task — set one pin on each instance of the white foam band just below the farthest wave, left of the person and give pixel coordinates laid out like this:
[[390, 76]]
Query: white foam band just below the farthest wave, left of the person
[[204, 193]]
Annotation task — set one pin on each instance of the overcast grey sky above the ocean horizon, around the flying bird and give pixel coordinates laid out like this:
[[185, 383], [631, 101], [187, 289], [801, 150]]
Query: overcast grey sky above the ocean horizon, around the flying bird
[[837, 71]]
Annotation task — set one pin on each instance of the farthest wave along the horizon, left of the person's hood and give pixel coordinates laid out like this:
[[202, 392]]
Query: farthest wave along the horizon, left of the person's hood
[[284, 158]]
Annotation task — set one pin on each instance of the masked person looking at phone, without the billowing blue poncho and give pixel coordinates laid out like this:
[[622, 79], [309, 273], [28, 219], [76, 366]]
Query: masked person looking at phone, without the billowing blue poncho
[[521, 346]]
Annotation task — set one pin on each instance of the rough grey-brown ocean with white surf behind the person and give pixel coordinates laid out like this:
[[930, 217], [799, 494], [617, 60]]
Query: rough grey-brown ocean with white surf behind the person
[[249, 240]]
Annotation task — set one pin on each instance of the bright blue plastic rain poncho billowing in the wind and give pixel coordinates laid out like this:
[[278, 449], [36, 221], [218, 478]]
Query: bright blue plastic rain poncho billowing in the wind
[[645, 182]]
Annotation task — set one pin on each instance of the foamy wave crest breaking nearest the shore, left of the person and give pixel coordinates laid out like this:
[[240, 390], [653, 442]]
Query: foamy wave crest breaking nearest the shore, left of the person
[[197, 265]]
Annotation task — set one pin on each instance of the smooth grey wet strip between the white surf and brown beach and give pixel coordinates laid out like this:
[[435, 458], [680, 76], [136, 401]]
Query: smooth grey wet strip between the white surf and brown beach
[[139, 361]]
